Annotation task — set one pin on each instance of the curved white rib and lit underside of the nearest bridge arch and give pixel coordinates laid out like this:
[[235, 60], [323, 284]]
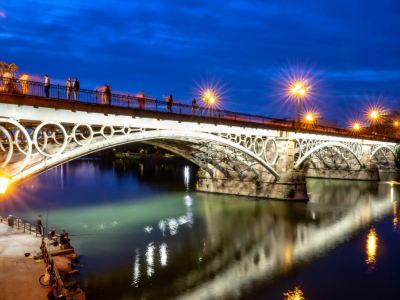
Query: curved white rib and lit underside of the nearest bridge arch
[[188, 142]]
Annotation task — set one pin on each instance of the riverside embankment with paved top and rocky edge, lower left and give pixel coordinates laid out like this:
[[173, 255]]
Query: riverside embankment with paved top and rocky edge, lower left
[[24, 257]]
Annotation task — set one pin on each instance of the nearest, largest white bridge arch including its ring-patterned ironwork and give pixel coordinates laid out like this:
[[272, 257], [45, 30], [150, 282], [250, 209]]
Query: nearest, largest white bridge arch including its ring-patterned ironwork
[[38, 147]]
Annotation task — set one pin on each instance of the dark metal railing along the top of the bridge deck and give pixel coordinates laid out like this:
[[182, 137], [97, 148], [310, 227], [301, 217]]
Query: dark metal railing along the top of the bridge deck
[[99, 97]]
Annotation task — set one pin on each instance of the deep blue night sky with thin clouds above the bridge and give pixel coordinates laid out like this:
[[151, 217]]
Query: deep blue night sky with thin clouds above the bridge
[[349, 48]]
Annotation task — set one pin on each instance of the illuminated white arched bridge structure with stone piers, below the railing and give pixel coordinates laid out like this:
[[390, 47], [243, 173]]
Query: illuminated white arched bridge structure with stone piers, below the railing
[[256, 160]]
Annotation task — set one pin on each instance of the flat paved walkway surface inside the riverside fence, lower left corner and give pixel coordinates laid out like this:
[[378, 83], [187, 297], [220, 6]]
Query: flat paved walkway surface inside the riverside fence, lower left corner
[[19, 276]]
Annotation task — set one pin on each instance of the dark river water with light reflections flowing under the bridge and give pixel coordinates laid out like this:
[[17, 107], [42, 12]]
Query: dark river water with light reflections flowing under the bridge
[[143, 232]]
